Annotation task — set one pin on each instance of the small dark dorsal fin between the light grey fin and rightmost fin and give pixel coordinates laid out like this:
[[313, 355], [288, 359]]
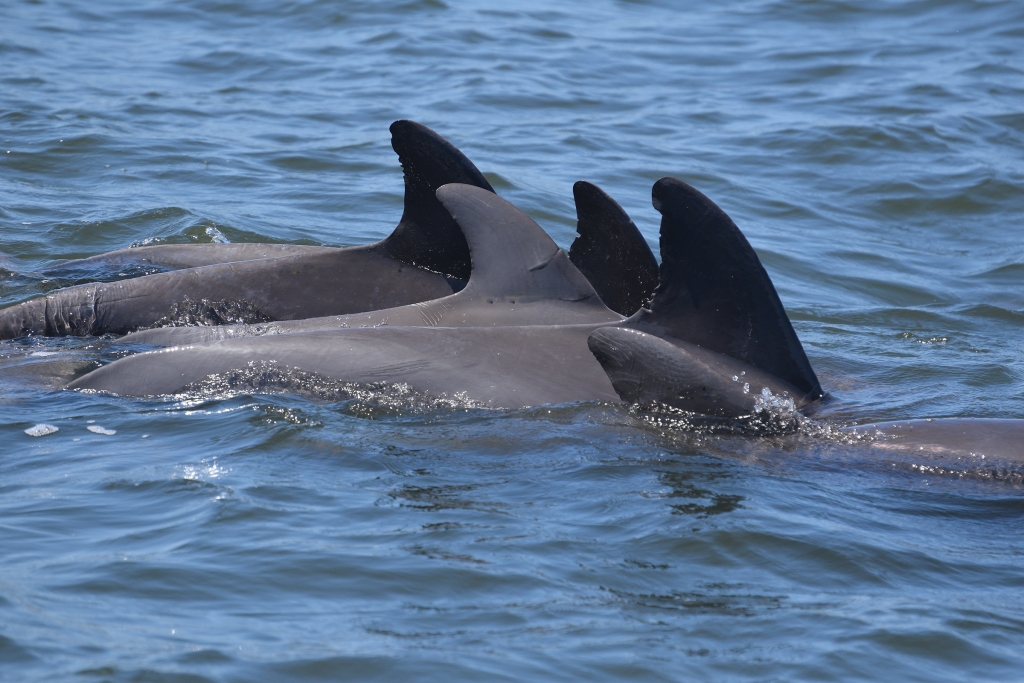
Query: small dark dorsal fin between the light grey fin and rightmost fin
[[611, 251]]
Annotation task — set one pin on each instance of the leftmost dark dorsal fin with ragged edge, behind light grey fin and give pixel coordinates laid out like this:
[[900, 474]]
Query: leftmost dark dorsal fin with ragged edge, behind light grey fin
[[428, 236]]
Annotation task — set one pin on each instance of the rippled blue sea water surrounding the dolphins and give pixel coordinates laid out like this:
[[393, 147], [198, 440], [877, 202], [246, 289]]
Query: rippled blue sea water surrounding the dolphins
[[873, 152]]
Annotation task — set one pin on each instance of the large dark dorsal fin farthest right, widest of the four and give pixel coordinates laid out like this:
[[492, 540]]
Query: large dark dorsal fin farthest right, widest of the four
[[715, 293]]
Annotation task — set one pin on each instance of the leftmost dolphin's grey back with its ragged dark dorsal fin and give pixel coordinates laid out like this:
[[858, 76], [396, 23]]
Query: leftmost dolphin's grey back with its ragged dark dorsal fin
[[422, 260]]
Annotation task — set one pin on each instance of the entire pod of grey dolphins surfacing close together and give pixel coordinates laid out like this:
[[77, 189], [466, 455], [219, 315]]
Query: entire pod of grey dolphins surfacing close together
[[470, 298]]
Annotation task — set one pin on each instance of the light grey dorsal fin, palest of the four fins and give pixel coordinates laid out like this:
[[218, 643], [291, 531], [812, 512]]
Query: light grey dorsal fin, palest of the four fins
[[513, 255]]
